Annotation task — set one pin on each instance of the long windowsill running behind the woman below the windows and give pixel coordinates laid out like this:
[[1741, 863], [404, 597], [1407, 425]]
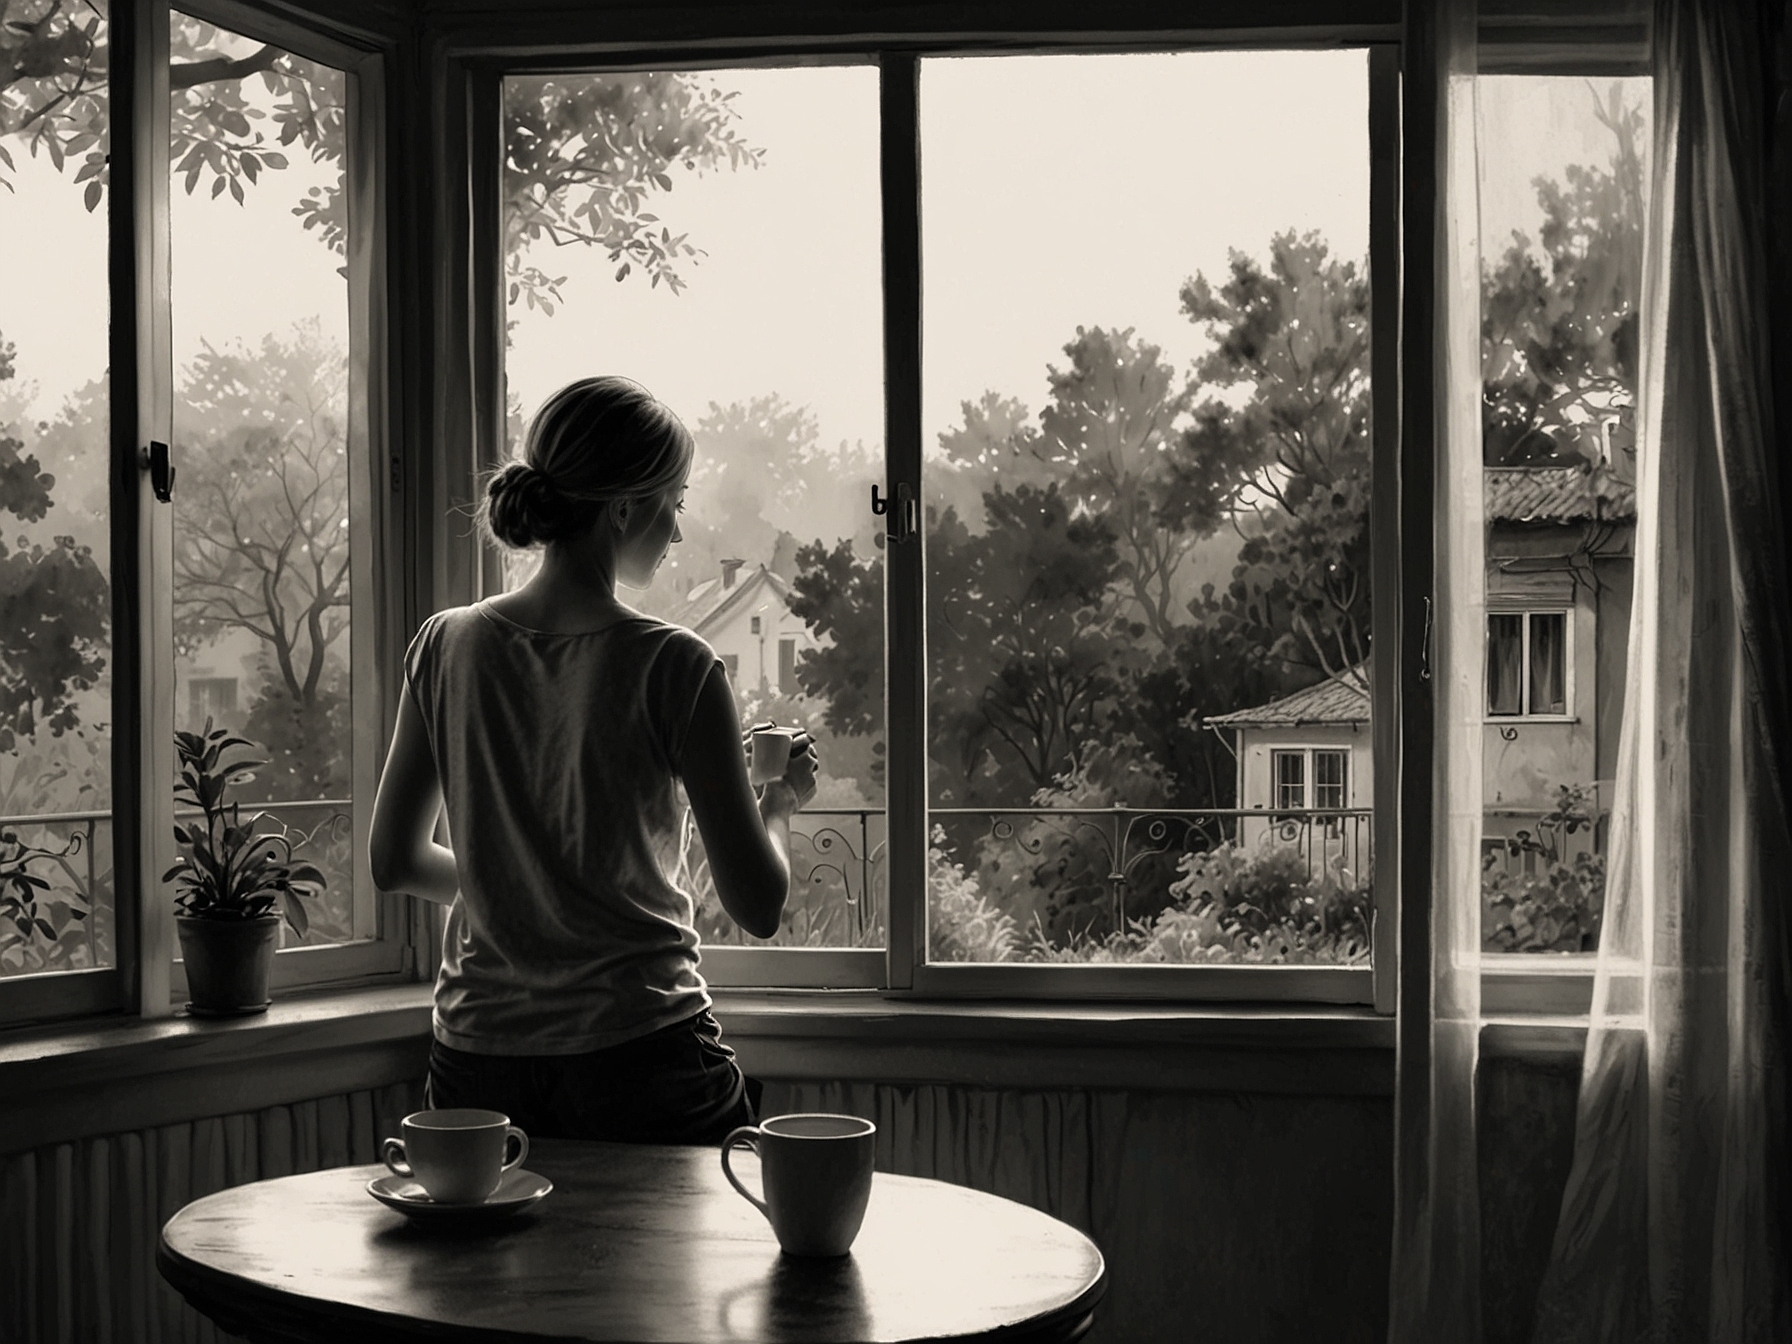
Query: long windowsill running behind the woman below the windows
[[128, 1074]]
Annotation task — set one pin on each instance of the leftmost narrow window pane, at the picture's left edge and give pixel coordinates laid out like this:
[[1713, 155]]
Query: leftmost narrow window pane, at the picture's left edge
[[56, 868]]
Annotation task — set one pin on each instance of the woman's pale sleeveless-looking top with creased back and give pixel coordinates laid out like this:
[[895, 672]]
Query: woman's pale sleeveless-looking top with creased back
[[560, 757]]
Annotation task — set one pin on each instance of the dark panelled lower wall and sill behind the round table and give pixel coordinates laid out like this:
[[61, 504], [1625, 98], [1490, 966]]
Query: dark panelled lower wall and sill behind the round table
[[1239, 1193]]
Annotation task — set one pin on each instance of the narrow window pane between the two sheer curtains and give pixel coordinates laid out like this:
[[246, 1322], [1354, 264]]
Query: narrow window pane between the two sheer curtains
[[1564, 166]]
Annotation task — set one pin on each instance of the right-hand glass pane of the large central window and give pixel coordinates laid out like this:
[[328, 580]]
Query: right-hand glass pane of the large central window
[[1146, 409]]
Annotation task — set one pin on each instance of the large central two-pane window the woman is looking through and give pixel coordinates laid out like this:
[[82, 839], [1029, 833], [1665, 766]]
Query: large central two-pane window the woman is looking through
[[992, 494]]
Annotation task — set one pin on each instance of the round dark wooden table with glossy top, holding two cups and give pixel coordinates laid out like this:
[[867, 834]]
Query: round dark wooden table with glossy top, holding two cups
[[635, 1245]]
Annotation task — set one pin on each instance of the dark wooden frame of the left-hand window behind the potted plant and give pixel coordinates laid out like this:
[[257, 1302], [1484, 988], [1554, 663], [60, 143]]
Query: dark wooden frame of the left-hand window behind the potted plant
[[148, 978]]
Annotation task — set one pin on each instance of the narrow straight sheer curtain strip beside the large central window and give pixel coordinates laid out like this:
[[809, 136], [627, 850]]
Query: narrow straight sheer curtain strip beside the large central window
[[1436, 1257]]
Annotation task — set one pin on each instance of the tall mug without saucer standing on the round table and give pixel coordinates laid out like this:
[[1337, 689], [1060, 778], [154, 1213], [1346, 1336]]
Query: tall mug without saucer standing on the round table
[[818, 1178]]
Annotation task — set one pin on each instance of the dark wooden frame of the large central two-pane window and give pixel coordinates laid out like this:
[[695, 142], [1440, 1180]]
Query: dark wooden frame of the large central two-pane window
[[900, 967]]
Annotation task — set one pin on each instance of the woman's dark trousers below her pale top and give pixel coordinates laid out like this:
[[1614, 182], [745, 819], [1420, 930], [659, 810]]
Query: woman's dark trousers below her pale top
[[678, 1085]]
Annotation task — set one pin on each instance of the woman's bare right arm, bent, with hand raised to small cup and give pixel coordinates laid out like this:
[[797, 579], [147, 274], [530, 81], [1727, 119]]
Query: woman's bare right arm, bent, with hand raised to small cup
[[746, 838]]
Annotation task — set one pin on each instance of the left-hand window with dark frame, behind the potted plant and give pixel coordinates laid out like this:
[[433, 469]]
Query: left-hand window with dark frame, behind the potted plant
[[241, 218]]
